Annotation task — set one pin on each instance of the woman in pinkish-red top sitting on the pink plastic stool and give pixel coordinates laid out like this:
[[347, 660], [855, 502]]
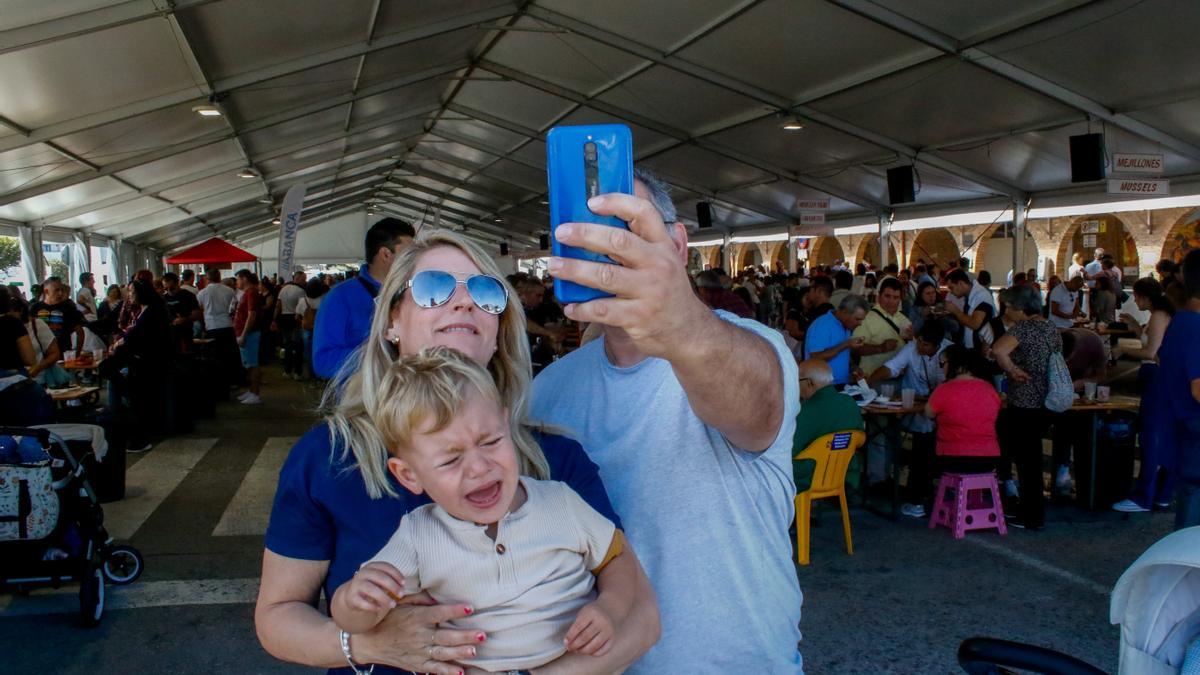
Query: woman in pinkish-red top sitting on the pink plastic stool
[[965, 408]]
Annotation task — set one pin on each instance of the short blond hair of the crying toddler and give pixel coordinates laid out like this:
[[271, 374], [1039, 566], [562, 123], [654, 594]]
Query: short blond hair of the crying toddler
[[423, 393]]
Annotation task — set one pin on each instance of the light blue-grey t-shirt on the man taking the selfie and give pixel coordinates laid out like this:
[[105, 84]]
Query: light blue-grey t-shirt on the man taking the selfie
[[709, 521]]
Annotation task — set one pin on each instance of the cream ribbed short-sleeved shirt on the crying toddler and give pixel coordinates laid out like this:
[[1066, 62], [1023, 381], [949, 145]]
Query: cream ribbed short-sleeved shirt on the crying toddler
[[526, 587]]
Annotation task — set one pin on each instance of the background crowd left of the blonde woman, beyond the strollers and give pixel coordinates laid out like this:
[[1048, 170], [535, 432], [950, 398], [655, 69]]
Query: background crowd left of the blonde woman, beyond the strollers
[[136, 337]]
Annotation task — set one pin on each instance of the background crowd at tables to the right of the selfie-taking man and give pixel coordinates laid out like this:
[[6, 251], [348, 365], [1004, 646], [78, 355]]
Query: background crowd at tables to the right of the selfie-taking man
[[938, 331]]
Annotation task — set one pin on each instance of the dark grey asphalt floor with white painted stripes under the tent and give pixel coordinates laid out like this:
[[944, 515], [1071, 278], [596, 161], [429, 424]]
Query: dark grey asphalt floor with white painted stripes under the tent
[[197, 510]]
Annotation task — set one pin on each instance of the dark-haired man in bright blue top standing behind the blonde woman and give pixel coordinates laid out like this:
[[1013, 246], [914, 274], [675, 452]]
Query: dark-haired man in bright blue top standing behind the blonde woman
[[345, 318]]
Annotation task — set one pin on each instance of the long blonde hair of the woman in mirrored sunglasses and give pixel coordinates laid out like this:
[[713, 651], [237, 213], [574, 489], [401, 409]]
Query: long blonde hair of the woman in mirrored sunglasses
[[356, 391]]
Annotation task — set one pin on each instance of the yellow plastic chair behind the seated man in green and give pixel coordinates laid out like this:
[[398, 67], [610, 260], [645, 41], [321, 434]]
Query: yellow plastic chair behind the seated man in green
[[832, 455]]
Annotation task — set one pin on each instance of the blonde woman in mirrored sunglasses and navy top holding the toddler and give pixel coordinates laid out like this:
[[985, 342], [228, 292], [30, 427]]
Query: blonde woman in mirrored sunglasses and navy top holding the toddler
[[337, 504]]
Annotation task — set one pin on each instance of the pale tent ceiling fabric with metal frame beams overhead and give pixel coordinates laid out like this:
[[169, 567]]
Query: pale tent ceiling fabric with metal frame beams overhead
[[437, 110]]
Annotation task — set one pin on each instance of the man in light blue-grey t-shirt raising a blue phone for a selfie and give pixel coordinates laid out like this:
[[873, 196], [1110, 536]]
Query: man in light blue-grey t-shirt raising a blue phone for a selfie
[[689, 415]]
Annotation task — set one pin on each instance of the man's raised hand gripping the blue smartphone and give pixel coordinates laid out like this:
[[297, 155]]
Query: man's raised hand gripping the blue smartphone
[[655, 302]]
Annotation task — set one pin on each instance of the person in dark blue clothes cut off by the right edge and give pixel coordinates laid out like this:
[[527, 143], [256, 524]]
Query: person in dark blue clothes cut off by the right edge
[[1179, 383]]
